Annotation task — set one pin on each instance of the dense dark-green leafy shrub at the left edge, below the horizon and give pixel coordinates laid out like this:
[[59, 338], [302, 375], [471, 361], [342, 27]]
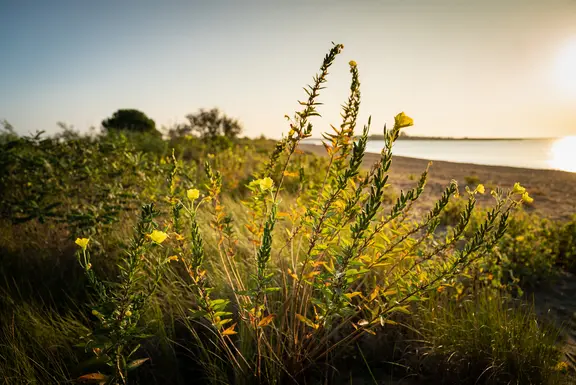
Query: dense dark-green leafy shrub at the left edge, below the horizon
[[82, 183]]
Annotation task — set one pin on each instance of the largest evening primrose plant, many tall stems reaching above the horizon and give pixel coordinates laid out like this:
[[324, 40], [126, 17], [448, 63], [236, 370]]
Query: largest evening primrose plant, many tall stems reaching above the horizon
[[349, 261]]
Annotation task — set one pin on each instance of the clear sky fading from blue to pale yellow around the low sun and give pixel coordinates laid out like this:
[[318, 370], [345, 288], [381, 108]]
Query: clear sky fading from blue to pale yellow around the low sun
[[462, 68]]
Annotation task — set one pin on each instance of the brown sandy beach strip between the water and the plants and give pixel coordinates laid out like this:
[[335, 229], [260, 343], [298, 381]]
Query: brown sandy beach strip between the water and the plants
[[553, 191]]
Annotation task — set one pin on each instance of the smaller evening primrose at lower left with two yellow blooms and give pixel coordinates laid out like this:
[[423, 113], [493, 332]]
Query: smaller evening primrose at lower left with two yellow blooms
[[118, 305]]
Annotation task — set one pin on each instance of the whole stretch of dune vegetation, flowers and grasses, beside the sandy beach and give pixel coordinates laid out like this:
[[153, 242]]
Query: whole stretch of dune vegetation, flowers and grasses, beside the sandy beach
[[126, 258]]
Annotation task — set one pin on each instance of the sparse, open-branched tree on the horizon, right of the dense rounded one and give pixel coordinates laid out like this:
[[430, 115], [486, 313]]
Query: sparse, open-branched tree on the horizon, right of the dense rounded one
[[210, 124]]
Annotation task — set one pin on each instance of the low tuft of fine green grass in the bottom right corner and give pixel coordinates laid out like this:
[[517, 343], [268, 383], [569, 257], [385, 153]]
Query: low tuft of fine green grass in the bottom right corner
[[487, 339]]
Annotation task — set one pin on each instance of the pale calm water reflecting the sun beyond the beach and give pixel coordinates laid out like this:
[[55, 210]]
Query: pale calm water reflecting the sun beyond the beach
[[550, 154]]
